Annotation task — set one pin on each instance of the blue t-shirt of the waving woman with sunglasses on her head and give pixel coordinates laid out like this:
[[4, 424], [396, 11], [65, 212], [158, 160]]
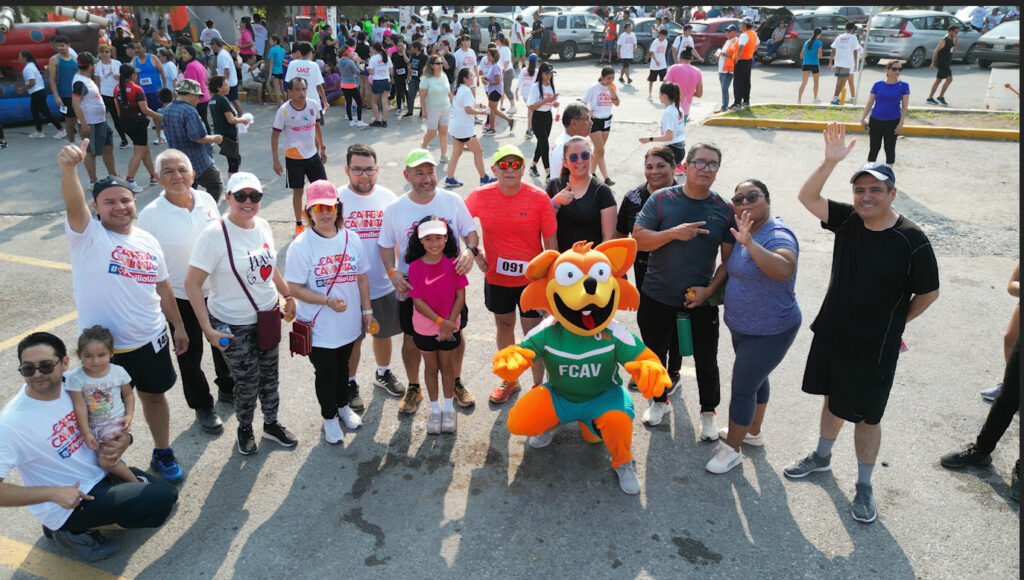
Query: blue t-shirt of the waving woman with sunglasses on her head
[[755, 304]]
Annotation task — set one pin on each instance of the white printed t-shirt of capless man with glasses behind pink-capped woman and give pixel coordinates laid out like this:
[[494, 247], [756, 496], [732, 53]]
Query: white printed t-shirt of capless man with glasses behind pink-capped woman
[[365, 217]]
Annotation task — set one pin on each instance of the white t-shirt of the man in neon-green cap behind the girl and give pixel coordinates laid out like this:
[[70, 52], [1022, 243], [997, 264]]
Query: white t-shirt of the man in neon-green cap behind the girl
[[402, 217]]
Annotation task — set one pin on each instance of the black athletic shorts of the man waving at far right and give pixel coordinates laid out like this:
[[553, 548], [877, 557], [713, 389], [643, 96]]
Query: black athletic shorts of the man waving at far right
[[857, 378]]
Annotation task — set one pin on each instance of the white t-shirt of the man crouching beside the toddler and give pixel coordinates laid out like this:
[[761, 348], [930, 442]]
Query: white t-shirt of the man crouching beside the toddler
[[41, 440]]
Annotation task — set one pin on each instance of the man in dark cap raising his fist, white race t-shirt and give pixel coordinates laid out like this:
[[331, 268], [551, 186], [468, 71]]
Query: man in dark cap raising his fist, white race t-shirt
[[121, 282]]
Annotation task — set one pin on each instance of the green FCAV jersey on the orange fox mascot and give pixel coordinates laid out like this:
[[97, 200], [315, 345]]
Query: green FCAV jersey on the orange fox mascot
[[583, 367]]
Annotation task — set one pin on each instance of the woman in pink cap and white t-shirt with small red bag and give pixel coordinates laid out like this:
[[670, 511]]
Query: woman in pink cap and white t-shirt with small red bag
[[327, 273]]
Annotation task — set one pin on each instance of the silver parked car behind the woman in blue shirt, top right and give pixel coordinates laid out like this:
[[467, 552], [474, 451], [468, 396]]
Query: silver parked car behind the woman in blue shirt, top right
[[913, 36]]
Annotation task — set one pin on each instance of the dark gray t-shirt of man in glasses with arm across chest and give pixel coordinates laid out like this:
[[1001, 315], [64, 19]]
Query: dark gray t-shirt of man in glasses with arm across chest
[[678, 266]]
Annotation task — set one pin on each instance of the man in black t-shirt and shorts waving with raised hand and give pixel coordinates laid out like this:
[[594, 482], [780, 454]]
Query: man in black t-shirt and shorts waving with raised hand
[[884, 275]]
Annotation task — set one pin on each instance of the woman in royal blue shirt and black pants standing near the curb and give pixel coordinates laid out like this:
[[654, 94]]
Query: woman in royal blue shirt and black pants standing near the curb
[[887, 107]]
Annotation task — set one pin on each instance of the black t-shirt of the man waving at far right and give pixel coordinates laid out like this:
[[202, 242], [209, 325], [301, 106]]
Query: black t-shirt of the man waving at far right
[[874, 277]]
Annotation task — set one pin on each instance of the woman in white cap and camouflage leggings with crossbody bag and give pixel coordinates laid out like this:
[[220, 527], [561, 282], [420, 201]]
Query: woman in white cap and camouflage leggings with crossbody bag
[[238, 258]]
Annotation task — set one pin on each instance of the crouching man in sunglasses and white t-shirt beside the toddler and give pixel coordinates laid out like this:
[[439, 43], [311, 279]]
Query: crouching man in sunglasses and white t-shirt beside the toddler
[[65, 484]]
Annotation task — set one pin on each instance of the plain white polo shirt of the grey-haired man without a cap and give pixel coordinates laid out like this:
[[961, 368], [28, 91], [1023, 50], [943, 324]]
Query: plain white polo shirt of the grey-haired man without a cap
[[177, 229]]
